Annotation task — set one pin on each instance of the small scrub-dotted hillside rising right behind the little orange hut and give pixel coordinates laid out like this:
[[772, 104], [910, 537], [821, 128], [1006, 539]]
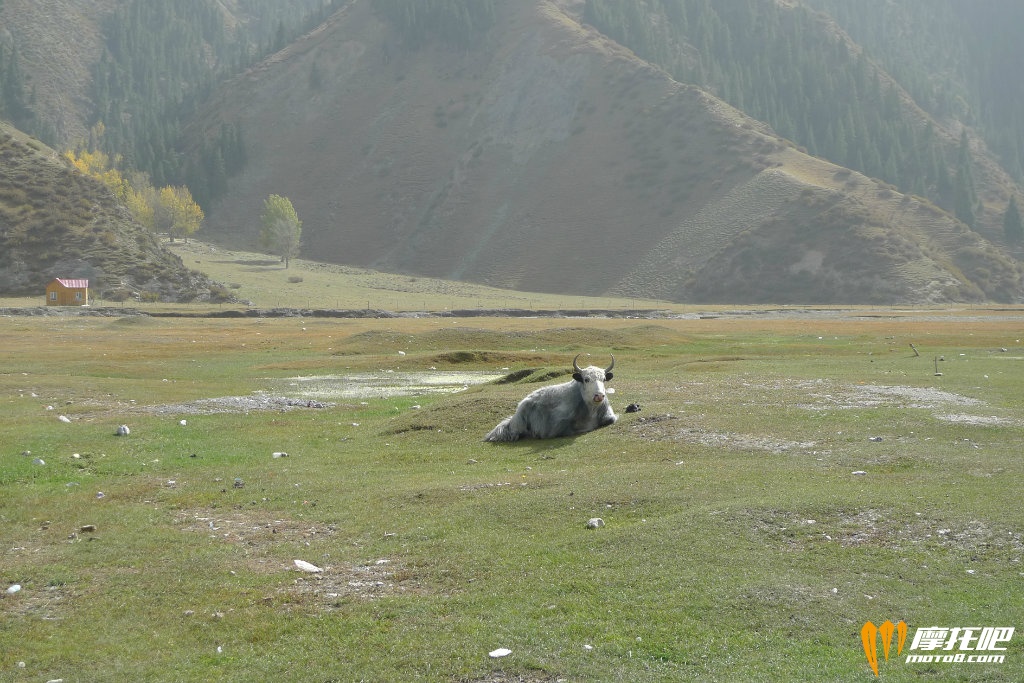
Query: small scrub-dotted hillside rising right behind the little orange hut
[[56, 223]]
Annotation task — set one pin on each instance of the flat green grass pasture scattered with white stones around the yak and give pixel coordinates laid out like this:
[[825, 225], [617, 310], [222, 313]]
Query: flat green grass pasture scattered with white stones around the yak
[[739, 545]]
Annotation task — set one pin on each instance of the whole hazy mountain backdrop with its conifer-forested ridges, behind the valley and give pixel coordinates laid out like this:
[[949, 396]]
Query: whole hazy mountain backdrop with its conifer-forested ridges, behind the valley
[[758, 151]]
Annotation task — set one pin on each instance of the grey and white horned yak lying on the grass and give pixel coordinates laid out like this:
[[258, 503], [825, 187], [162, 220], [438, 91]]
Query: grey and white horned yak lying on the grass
[[574, 408]]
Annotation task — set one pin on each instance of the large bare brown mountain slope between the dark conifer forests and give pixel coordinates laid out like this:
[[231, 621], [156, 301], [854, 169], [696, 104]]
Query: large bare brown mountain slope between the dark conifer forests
[[551, 158]]
